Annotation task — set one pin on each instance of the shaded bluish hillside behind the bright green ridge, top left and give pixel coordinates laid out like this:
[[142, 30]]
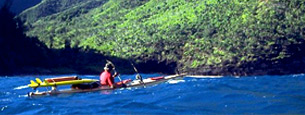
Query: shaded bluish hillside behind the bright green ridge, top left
[[54, 7]]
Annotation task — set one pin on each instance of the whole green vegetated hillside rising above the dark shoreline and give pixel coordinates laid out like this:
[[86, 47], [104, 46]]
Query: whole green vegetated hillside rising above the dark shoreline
[[232, 37]]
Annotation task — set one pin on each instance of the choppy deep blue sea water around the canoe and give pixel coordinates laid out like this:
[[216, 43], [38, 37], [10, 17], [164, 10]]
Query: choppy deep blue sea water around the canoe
[[225, 95]]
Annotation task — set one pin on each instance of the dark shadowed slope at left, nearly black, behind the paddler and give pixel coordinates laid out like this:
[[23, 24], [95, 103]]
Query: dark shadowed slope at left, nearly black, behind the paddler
[[20, 54]]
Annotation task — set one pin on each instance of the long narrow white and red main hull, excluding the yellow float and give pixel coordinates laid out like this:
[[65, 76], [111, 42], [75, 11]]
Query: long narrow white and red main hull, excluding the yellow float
[[122, 84]]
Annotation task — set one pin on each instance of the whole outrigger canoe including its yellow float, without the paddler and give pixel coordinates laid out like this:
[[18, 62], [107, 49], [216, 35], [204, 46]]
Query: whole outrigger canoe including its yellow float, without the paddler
[[127, 84]]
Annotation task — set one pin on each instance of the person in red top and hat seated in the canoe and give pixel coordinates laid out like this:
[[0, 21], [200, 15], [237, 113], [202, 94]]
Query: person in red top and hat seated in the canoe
[[106, 78]]
